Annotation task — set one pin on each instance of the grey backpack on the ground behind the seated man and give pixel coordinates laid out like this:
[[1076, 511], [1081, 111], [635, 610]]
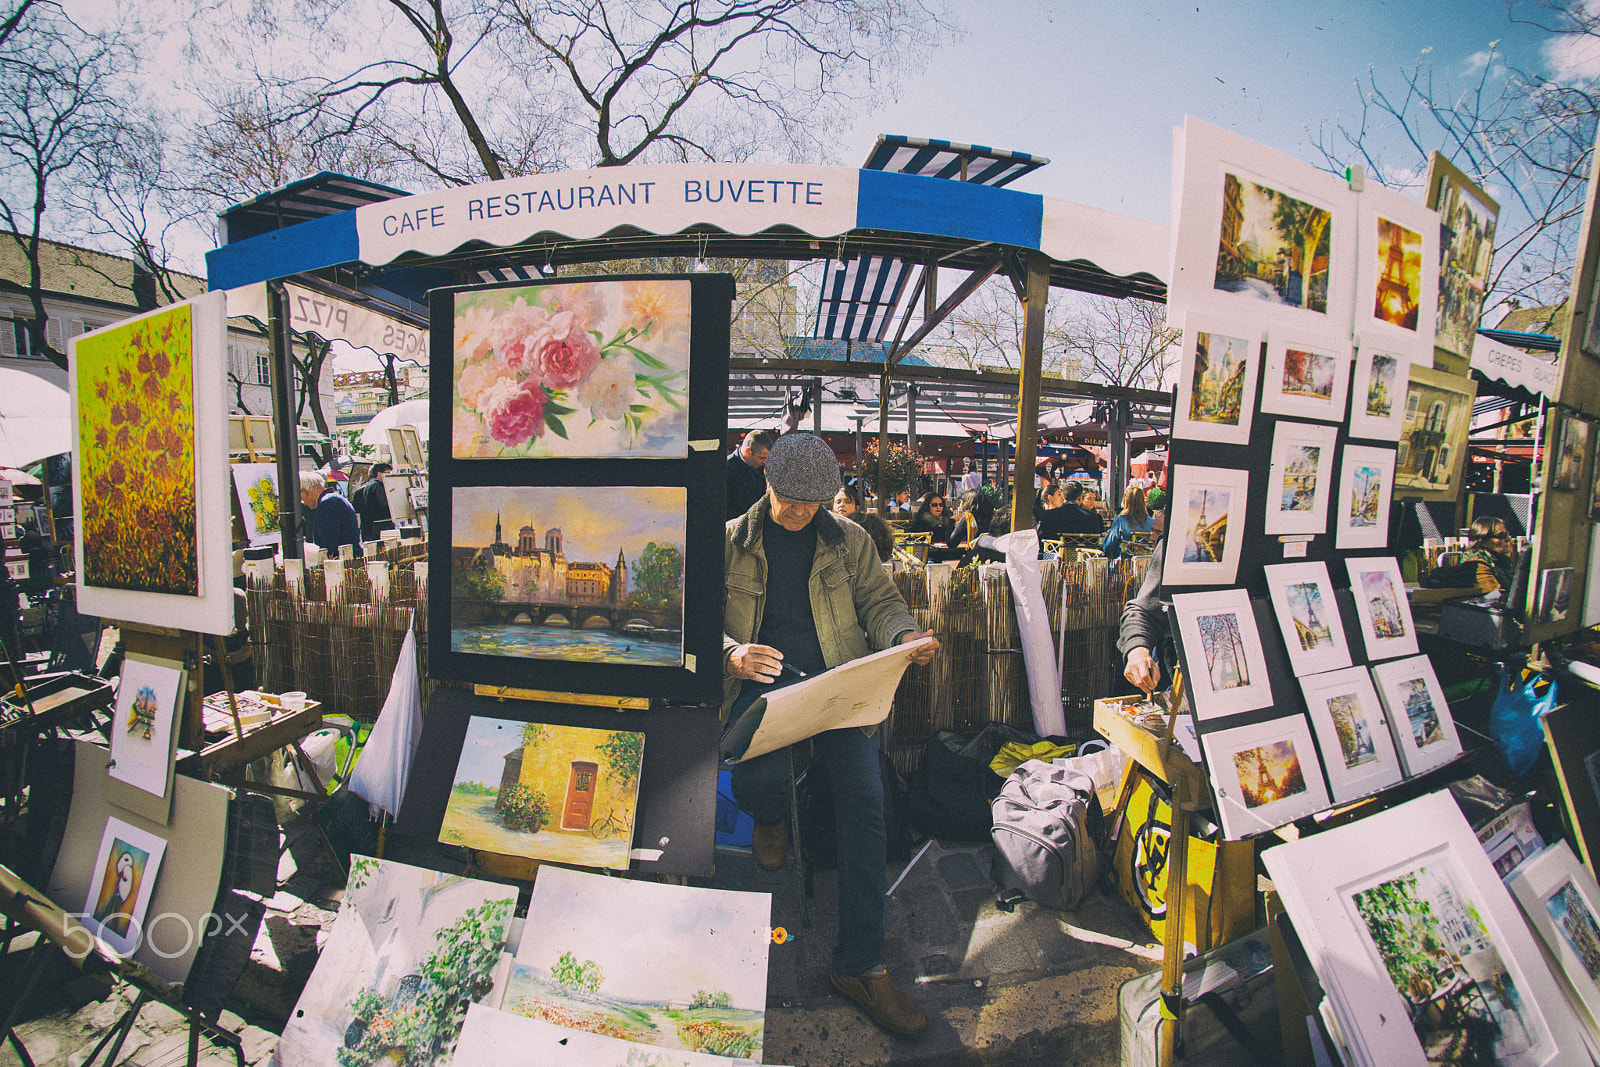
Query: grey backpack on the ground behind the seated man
[[1044, 834]]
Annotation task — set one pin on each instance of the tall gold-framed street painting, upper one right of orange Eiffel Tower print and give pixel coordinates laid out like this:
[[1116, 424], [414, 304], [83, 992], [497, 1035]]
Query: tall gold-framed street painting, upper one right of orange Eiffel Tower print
[[1466, 250]]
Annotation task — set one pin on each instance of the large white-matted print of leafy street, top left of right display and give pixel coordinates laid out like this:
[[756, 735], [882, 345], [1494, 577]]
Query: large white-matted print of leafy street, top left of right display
[[1262, 234]]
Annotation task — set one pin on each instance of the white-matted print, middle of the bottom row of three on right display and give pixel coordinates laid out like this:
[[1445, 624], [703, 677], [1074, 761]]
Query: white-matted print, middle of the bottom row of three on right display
[[1358, 748]]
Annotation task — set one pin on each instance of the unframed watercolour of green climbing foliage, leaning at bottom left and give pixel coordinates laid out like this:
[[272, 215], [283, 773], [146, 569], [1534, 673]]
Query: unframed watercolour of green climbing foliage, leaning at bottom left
[[398, 925]]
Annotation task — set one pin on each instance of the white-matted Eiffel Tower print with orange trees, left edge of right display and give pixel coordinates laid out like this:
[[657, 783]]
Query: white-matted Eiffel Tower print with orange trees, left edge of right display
[[1206, 526]]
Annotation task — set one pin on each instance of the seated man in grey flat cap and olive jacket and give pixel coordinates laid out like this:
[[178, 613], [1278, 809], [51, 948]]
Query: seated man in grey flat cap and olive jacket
[[806, 593]]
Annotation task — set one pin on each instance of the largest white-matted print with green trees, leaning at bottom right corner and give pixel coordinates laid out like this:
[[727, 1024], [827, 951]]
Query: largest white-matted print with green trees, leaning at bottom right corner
[[1410, 893]]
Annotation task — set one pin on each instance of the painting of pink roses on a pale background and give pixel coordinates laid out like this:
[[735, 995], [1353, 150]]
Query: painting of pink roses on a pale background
[[578, 370]]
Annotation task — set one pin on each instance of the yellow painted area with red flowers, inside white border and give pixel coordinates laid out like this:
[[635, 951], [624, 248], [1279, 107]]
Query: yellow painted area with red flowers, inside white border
[[137, 457]]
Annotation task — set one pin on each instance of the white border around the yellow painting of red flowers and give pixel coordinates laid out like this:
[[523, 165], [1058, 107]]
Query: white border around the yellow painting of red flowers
[[212, 609]]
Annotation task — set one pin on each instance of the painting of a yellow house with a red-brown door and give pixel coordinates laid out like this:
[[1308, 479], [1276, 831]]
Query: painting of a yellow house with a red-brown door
[[566, 794]]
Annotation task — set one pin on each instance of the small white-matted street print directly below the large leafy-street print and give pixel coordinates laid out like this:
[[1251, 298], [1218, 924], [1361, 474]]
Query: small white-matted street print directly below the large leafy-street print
[[1217, 383]]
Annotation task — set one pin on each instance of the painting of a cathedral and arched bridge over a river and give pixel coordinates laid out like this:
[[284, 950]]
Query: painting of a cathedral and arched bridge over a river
[[577, 573]]
